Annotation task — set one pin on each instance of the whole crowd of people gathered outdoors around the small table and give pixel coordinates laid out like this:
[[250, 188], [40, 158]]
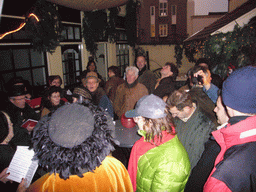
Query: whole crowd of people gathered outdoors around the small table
[[198, 137]]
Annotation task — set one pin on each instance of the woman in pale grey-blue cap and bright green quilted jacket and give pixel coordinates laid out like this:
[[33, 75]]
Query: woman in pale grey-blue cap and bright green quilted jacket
[[158, 161]]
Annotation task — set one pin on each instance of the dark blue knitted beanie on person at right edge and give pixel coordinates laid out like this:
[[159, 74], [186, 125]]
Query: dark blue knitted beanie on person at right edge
[[239, 90]]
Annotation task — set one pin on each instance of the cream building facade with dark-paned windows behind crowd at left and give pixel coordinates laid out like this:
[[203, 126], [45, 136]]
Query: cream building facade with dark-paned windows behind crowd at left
[[69, 59]]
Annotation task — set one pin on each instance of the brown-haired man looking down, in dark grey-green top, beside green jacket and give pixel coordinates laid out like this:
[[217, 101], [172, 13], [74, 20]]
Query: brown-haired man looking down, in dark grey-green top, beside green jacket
[[193, 125]]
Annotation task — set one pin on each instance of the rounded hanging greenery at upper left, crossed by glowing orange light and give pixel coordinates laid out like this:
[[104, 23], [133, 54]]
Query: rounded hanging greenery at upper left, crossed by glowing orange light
[[45, 35]]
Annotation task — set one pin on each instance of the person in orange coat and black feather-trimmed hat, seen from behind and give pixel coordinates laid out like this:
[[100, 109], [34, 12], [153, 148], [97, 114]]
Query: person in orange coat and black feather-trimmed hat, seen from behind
[[74, 144]]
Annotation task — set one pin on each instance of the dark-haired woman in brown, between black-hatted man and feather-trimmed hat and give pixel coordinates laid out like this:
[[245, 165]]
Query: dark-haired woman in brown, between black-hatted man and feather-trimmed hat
[[53, 100]]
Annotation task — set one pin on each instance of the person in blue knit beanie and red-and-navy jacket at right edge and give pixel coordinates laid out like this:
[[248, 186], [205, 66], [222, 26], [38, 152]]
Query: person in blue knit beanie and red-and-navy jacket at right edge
[[235, 167]]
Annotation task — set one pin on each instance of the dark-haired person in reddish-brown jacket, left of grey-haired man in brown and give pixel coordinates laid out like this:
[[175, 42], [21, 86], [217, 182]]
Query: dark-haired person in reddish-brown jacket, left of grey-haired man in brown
[[113, 82]]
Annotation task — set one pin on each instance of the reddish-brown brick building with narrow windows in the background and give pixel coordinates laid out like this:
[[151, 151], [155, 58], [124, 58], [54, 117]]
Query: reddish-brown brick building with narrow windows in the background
[[162, 22]]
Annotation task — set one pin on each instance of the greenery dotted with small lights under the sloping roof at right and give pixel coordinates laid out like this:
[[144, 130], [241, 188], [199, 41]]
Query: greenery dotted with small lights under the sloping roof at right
[[237, 48]]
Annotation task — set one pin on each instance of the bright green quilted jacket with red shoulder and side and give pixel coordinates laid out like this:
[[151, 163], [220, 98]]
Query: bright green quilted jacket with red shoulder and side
[[164, 167]]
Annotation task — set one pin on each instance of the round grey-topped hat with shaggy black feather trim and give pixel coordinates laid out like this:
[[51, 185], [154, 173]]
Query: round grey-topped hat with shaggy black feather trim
[[73, 140]]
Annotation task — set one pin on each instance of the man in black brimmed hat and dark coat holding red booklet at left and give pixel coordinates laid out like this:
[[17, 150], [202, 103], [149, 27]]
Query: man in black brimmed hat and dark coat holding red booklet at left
[[19, 112]]
